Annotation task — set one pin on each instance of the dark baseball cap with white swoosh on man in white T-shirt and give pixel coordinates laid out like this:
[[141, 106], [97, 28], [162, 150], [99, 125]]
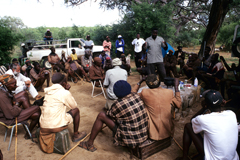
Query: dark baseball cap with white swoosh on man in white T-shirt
[[212, 97]]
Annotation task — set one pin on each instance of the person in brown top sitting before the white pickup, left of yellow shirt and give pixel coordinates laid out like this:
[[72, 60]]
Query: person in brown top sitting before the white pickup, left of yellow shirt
[[54, 60]]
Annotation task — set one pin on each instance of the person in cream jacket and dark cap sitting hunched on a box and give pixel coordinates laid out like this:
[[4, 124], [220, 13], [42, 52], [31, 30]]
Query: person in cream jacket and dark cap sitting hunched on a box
[[53, 112]]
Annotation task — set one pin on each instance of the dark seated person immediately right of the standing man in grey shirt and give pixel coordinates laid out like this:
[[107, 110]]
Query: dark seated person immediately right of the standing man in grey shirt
[[170, 62]]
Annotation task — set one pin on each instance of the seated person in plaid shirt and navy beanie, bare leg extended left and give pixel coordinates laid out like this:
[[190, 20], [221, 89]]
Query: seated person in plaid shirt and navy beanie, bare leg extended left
[[127, 118]]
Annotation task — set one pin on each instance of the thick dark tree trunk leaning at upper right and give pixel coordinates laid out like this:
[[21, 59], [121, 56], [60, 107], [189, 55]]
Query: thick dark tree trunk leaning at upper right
[[218, 12]]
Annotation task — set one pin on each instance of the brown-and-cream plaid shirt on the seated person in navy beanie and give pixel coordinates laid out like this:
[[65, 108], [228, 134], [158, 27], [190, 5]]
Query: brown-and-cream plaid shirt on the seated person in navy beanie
[[131, 119]]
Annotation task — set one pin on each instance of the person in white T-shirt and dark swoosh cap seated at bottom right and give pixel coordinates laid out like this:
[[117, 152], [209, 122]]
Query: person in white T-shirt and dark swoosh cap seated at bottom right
[[219, 127]]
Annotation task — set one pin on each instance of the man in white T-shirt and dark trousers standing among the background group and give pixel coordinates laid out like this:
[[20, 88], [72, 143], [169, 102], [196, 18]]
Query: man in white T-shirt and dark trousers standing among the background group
[[138, 42]]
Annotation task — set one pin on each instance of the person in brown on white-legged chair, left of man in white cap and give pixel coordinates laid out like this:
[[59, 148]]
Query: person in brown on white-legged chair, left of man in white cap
[[96, 72]]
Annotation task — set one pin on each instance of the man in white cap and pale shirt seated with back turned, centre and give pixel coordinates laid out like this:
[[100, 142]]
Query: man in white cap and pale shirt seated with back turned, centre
[[112, 76]]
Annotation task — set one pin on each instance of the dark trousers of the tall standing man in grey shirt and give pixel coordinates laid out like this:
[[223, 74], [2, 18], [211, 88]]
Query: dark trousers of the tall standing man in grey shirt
[[160, 69]]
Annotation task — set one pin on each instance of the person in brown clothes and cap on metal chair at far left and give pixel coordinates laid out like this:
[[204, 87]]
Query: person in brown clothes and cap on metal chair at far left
[[10, 104]]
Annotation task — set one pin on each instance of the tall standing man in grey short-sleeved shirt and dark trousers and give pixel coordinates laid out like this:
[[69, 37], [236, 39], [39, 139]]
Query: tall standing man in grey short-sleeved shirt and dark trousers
[[154, 55]]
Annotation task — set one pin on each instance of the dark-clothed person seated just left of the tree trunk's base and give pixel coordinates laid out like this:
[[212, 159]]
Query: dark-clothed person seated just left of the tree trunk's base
[[190, 68]]
